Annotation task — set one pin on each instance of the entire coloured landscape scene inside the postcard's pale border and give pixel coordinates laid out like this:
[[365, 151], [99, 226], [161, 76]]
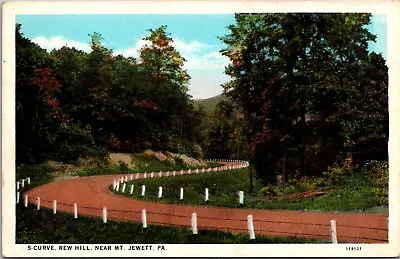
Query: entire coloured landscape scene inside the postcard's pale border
[[115, 145]]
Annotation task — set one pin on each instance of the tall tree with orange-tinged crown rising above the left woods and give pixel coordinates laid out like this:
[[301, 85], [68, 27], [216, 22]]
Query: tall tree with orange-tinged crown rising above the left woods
[[164, 65]]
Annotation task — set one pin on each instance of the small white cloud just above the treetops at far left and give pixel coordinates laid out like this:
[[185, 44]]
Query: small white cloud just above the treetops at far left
[[58, 42]]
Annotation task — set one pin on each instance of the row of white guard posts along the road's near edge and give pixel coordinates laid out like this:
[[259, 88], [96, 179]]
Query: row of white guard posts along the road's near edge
[[250, 224]]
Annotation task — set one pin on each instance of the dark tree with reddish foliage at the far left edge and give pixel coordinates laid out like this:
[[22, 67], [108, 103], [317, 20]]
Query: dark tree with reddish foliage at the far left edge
[[43, 129]]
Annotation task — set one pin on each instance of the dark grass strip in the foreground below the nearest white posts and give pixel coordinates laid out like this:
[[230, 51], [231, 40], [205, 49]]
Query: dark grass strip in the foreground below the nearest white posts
[[42, 227]]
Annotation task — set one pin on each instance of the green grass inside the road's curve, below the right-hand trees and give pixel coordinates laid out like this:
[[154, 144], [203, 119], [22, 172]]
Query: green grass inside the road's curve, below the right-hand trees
[[354, 195]]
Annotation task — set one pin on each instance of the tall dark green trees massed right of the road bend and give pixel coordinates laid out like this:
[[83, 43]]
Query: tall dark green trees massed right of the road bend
[[311, 92]]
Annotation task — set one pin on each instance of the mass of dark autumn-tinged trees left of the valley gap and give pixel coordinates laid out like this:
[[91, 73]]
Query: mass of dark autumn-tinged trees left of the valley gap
[[72, 104]]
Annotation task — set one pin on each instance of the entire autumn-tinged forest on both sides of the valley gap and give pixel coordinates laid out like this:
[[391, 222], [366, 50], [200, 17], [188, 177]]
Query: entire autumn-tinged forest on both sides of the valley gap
[[305, 94]]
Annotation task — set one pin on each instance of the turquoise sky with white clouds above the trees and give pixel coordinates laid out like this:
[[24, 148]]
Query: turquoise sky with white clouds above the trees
[[195, 37]]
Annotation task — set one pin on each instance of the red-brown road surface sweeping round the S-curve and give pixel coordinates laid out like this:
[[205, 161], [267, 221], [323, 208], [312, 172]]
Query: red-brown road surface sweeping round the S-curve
[[92, 194]]
